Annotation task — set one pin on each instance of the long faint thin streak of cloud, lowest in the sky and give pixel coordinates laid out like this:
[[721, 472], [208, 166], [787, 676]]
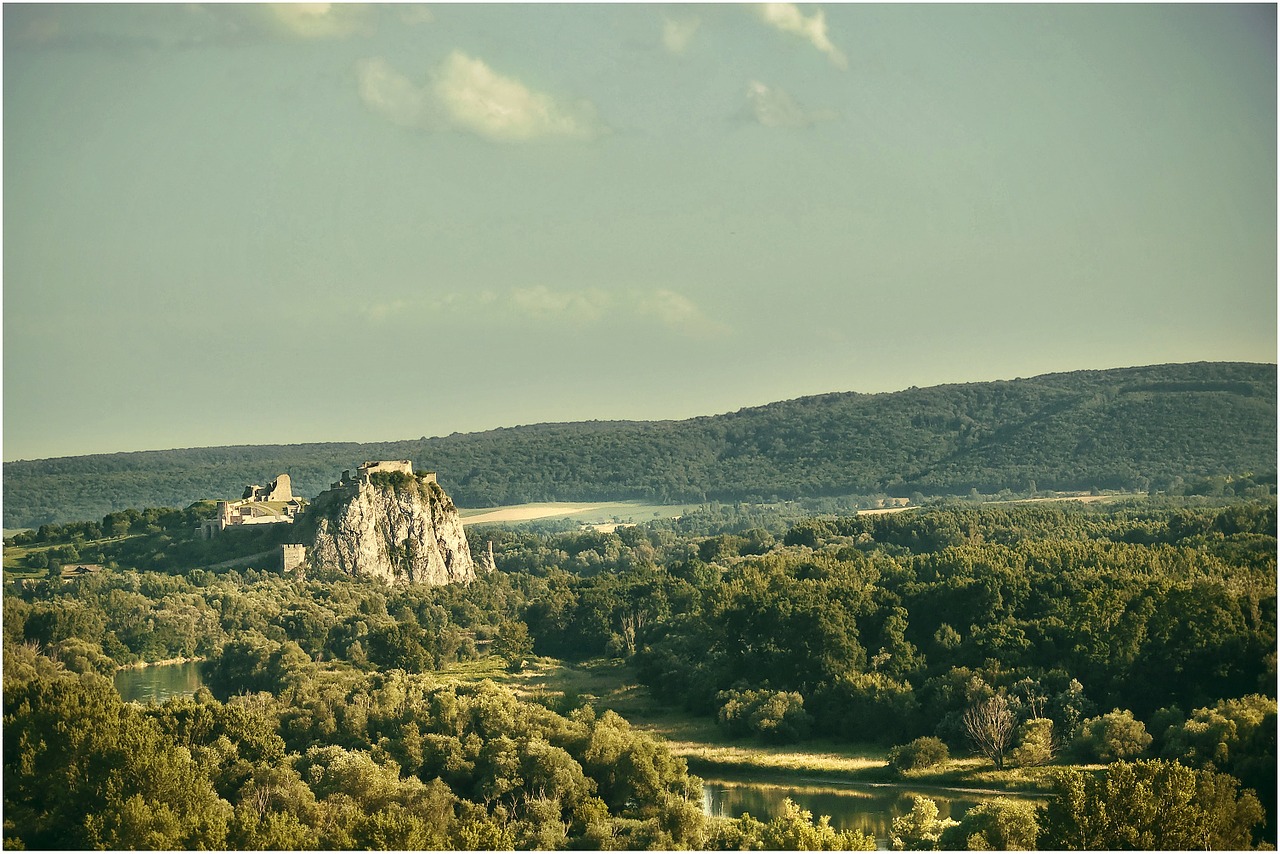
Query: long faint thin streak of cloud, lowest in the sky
[[551, 307]]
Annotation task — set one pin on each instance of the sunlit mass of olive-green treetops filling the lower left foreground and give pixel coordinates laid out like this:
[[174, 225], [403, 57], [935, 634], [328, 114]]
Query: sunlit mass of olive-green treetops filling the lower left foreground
[[335, 761]]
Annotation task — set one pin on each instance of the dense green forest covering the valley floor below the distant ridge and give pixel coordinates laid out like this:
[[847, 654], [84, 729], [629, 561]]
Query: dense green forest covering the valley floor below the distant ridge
[[1131, 645]]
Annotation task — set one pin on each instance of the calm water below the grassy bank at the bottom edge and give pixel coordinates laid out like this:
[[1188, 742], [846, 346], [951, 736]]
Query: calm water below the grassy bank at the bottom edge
[[870, 809]]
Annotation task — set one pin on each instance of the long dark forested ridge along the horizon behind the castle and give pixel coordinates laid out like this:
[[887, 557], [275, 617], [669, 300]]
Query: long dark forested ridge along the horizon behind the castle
[[1136, 428]]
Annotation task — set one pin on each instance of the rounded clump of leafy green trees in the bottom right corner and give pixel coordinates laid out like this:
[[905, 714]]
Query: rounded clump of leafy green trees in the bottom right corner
[[1151, 806]]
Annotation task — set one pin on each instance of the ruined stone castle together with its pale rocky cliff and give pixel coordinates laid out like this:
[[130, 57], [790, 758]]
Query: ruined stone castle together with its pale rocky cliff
[[387, 522]]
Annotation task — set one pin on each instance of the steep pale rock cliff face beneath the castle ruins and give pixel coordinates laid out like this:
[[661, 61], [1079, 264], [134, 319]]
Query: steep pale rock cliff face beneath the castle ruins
[[399, 528]]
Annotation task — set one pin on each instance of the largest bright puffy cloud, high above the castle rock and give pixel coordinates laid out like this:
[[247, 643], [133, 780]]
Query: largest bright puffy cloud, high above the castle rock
[[467, 94]]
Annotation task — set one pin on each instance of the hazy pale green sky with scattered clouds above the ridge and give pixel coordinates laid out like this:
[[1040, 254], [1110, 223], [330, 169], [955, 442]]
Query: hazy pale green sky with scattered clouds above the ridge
[[249, 225]]
